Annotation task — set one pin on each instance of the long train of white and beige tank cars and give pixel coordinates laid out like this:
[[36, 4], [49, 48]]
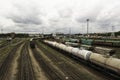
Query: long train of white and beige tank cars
[[109, 64]]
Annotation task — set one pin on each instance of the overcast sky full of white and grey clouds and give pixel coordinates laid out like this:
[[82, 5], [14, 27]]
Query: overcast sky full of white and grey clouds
[[50, 16]]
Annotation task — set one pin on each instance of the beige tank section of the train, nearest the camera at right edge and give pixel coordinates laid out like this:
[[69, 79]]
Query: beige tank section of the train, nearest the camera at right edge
[[109, 63]]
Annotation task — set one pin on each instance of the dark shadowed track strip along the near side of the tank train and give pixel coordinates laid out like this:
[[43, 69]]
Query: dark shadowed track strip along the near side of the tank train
[[92, 67]]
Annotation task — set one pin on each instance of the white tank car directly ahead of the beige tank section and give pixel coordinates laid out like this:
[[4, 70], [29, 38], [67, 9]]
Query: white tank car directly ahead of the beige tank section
[[84, 54]]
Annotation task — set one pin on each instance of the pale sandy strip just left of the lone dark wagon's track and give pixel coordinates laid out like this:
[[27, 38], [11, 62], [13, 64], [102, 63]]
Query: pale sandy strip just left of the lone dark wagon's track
[[39, 74]]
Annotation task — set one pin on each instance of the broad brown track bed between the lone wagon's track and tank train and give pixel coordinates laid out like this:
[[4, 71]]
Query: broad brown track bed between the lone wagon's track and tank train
[[71, 72]]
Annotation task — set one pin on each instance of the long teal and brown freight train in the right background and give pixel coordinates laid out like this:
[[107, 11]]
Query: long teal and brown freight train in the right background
[[102, 42]]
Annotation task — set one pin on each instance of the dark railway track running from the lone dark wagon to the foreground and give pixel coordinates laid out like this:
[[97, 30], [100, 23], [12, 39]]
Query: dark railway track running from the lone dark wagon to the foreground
[[50, 72]]
